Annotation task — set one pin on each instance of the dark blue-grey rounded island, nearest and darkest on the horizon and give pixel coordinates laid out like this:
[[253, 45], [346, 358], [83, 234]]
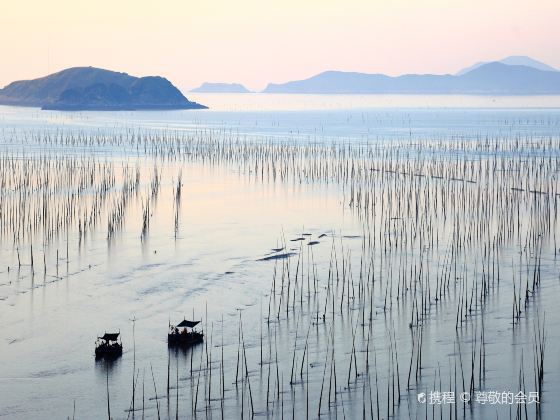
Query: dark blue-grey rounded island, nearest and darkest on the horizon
[[90, 88]]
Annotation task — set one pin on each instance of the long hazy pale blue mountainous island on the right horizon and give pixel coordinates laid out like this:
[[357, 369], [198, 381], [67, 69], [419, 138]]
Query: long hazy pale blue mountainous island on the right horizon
[[494, 78]]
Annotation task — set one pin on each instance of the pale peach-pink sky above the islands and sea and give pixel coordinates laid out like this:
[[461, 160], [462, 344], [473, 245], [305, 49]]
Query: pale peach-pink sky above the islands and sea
[[255, 42]]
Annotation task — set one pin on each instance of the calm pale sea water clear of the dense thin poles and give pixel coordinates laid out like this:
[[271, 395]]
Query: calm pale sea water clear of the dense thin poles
[[207, 267]]
